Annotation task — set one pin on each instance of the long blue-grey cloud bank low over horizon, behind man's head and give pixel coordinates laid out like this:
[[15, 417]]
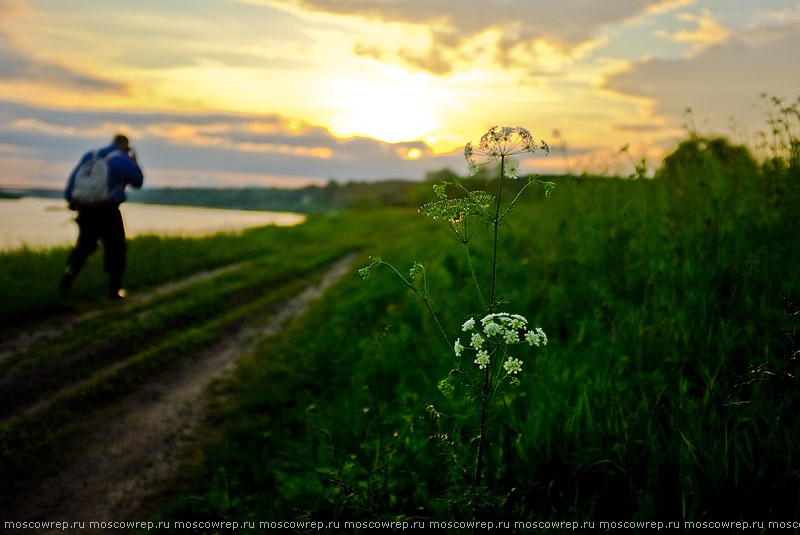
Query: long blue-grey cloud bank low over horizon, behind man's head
[[214, 148]]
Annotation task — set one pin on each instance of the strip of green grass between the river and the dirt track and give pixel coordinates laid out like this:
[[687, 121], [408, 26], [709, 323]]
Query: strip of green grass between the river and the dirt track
[[29, 279]]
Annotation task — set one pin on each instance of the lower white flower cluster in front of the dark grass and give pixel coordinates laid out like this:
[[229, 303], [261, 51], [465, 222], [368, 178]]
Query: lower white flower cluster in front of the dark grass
[[502, 329]]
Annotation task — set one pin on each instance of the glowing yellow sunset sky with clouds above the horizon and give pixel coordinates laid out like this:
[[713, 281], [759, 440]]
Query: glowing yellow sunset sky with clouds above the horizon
[[291, 92]]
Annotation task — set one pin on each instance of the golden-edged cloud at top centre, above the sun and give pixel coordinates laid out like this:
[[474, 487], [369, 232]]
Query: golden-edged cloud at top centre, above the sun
[[458, 29]]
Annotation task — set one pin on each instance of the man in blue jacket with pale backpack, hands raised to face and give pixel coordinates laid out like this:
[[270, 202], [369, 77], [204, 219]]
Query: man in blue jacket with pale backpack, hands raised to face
[[95, 189]]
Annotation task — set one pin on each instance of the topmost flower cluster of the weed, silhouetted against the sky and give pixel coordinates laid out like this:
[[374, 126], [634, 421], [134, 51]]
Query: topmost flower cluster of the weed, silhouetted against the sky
[[502, 141]]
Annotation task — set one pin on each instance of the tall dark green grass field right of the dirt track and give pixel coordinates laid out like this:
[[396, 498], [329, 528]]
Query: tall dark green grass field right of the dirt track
[[668, 390]]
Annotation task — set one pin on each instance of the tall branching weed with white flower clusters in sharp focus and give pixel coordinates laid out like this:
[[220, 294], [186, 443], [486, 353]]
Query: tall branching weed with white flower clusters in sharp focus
[[491, 336]]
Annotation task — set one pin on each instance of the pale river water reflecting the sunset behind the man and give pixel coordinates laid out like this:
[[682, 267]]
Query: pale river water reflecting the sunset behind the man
[[42, 223]]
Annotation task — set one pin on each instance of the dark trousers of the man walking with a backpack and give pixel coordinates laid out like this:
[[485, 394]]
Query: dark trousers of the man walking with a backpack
[[100, 223]]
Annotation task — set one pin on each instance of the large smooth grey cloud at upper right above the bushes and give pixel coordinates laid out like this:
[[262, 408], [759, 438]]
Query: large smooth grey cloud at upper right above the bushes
[[722, 80]]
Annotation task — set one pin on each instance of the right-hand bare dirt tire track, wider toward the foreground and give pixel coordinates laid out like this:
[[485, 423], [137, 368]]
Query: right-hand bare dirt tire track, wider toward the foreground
[[138, 443]]
